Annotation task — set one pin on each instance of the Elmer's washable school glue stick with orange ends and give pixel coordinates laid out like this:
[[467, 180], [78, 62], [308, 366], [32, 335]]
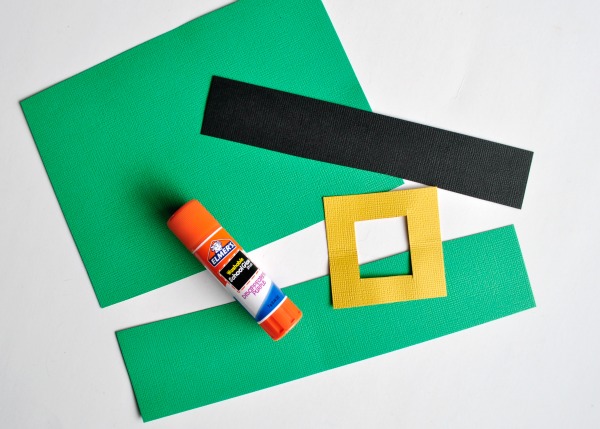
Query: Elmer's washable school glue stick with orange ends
[[200, 232]]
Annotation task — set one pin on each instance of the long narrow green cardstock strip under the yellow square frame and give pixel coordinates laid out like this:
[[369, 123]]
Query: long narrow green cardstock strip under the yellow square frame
[[219, 353]]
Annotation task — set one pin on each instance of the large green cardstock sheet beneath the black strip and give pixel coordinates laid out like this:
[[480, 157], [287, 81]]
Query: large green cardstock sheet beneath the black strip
[[122, 146]]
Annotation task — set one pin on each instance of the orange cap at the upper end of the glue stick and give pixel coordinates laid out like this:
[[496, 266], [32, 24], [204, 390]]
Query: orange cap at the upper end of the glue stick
[[192, 224]]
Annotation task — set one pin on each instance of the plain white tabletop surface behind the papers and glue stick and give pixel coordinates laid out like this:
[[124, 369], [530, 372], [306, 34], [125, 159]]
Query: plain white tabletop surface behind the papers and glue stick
[[526, 73]]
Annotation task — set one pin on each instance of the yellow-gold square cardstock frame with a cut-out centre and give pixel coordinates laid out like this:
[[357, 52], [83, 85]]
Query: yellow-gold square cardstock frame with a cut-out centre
[[427, 278]]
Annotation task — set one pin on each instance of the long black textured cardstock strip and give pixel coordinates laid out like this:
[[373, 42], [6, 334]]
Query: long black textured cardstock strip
[[329, 132]]
